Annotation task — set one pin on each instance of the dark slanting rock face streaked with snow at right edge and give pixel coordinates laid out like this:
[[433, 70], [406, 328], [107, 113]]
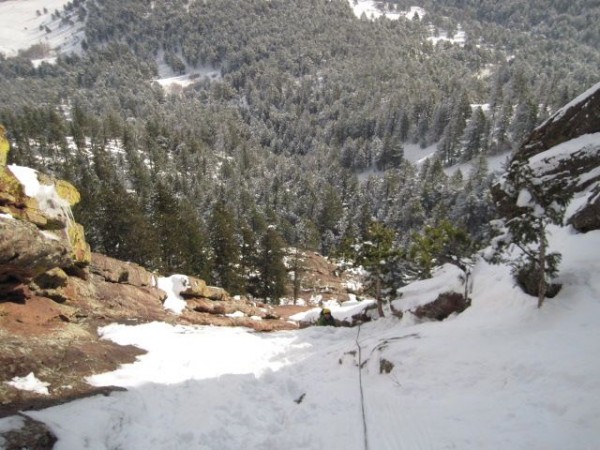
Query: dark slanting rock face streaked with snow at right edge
[[564, 152]]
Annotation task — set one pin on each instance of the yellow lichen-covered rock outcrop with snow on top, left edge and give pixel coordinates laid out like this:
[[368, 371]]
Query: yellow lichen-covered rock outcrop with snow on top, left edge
[[37, 233]]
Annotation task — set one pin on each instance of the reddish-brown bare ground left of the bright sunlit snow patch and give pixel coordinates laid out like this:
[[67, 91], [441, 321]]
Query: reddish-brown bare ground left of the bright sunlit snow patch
[[62, 356]]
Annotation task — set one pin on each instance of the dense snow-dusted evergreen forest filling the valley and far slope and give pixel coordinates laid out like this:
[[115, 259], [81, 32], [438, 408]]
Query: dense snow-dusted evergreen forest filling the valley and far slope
[[299, 139]]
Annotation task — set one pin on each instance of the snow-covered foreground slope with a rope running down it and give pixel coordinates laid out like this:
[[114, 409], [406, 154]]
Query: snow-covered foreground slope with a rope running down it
[[501, 375]]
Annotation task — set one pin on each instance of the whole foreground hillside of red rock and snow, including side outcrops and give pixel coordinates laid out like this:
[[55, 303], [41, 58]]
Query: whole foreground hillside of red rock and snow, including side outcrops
[[512, 371]]
